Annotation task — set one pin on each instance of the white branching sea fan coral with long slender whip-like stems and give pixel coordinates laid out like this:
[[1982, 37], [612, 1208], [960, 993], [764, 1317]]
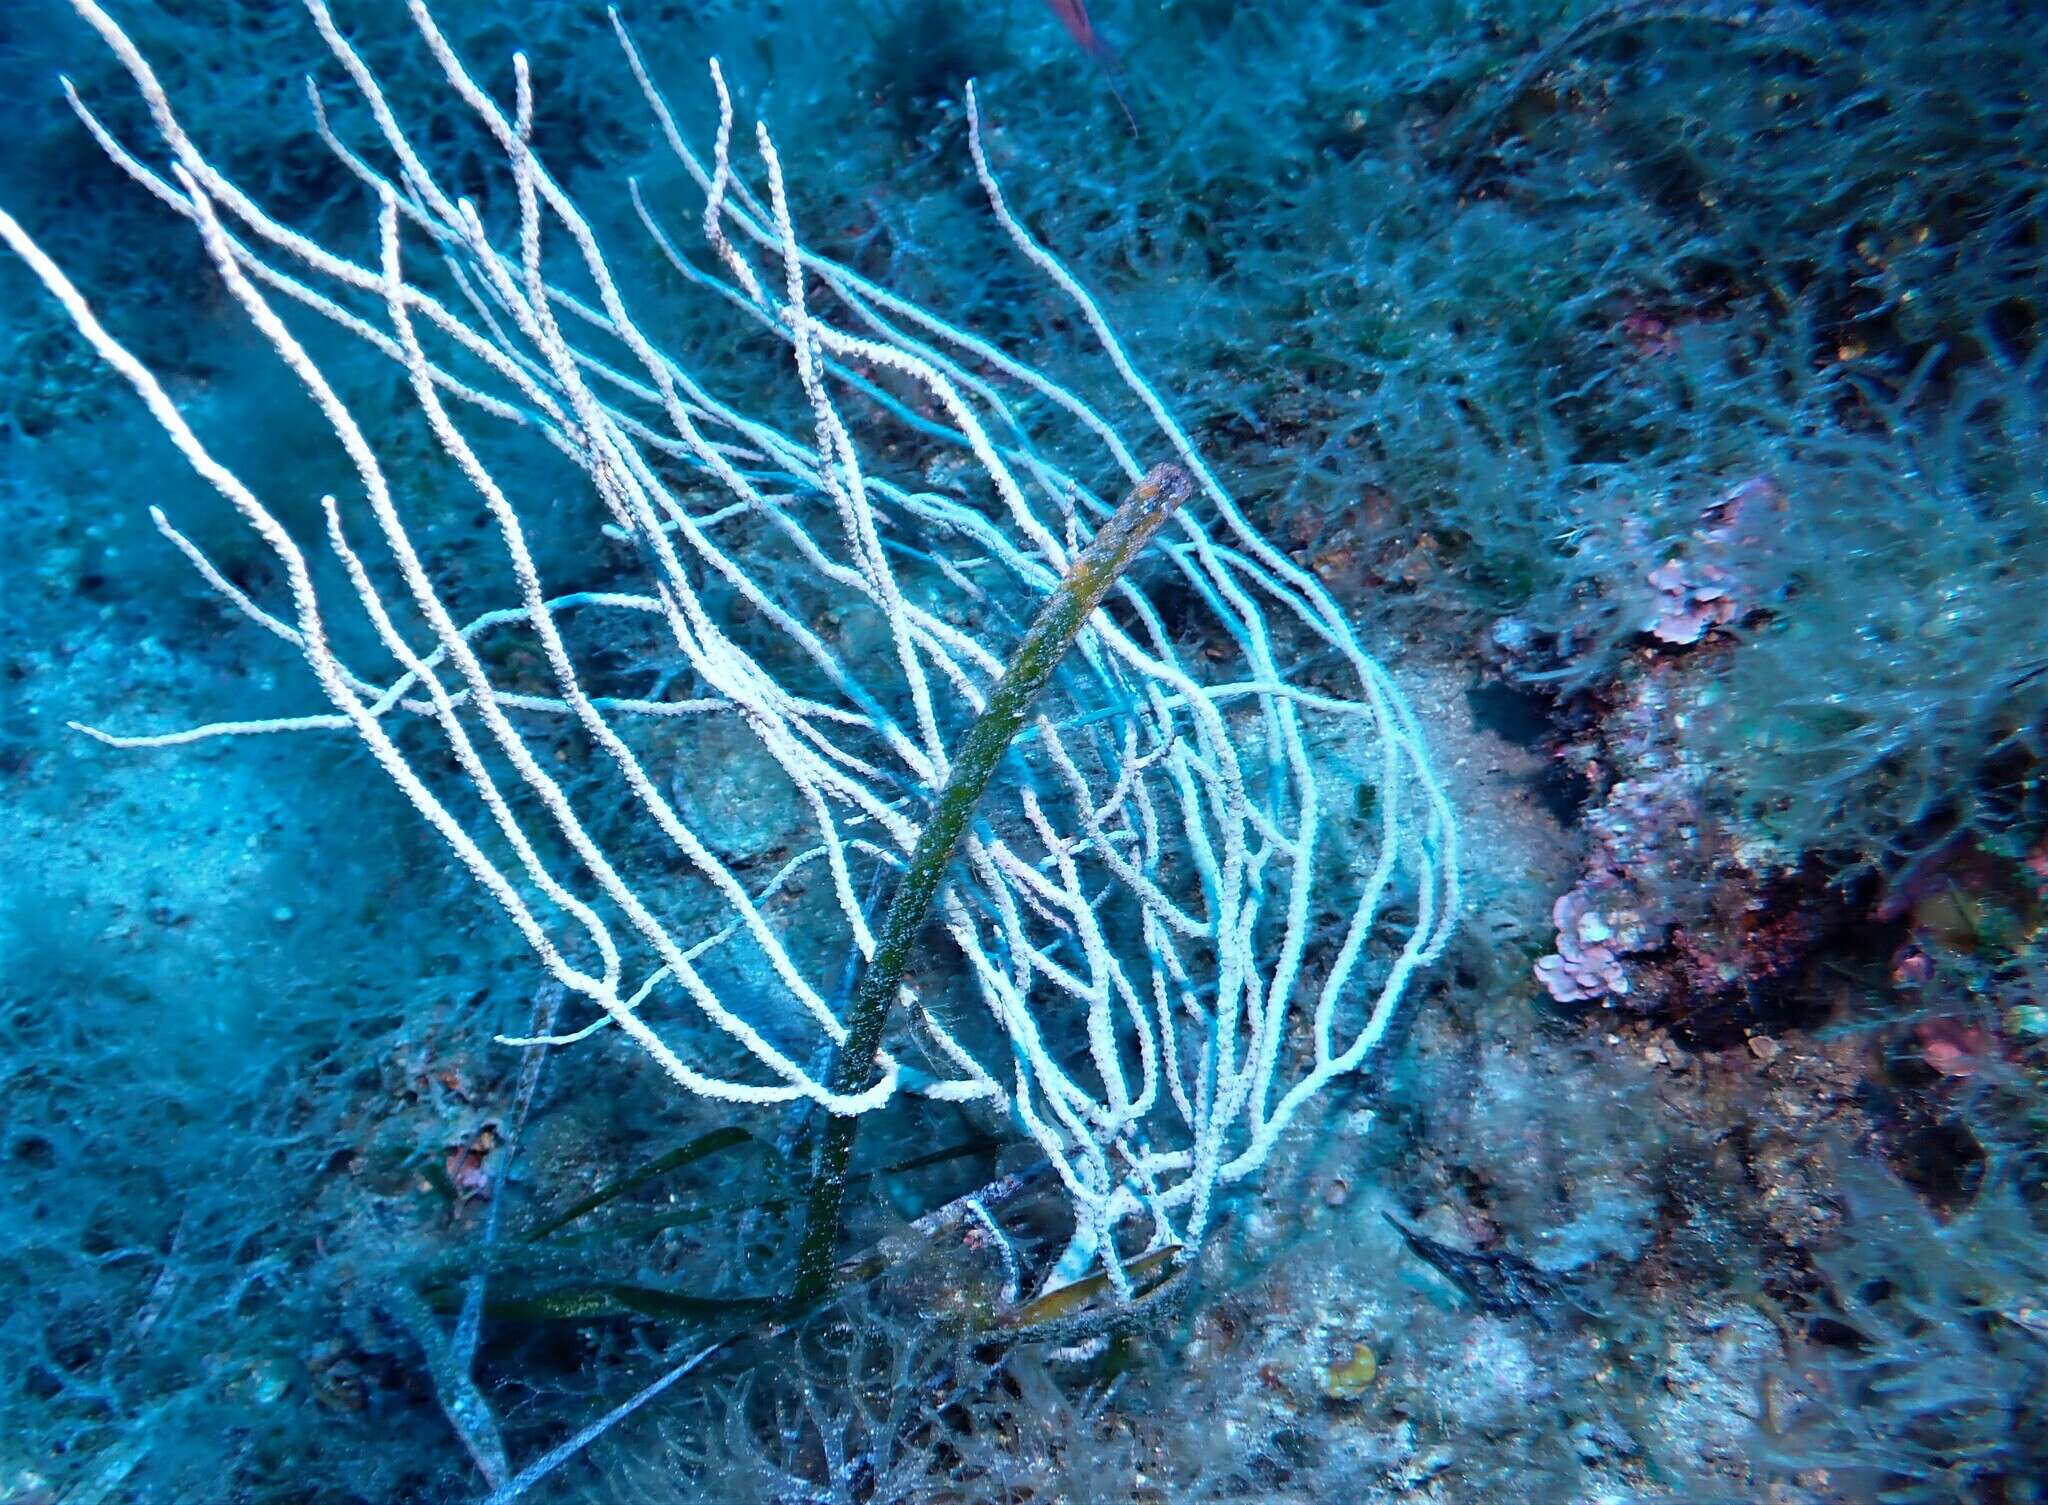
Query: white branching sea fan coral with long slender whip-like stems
[[1197, 890]]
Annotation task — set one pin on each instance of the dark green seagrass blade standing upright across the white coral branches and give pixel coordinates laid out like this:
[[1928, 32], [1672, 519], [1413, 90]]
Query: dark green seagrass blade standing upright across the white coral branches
[[1052, 634]]
